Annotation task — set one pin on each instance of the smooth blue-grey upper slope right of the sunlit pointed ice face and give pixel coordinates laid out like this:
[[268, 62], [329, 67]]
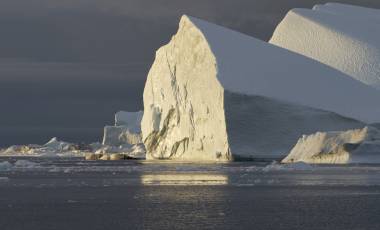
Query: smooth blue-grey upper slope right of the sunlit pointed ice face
[[253, 67]]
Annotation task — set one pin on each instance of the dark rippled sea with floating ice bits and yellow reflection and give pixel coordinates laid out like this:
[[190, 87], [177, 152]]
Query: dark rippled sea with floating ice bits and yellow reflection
[[38, 193]]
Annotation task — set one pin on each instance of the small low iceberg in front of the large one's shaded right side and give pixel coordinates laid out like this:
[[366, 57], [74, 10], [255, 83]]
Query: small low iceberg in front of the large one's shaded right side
[[352, 146]]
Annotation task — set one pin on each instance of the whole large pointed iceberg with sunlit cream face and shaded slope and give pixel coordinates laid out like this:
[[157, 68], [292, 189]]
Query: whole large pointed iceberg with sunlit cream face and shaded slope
[[206, 81]]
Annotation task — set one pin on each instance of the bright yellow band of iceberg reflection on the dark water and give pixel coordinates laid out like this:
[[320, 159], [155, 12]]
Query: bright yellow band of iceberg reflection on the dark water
[[184, 179]]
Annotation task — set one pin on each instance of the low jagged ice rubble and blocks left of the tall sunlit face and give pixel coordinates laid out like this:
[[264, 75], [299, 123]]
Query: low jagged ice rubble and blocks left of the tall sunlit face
[[122, 141]]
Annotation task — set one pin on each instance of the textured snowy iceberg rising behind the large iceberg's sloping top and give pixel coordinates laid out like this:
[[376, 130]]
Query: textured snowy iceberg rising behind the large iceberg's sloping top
[[342, 36]]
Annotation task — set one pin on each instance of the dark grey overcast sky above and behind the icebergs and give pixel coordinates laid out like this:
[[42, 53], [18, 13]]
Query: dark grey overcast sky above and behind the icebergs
[[66, 66]]
